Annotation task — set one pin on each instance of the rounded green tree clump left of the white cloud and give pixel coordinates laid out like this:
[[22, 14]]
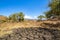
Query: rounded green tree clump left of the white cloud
[[17, 17]]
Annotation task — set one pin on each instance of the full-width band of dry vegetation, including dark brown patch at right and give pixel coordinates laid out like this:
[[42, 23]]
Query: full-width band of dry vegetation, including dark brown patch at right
[[6, 27]]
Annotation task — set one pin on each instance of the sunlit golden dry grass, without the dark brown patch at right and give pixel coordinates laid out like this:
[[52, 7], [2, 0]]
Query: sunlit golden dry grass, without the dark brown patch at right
[[5, 28]]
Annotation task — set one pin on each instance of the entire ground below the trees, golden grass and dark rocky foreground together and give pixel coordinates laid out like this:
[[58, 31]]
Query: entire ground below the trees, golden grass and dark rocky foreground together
[[49, 29]]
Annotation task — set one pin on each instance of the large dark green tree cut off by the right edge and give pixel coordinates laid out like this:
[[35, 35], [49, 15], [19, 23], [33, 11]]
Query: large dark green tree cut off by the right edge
[[54, 12]]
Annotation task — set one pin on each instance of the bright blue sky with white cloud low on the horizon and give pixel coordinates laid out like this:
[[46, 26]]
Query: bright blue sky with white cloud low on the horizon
[[31, 8]]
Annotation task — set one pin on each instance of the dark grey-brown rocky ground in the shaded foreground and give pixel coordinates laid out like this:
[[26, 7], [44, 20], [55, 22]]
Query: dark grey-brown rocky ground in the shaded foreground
[[33, 34]]
